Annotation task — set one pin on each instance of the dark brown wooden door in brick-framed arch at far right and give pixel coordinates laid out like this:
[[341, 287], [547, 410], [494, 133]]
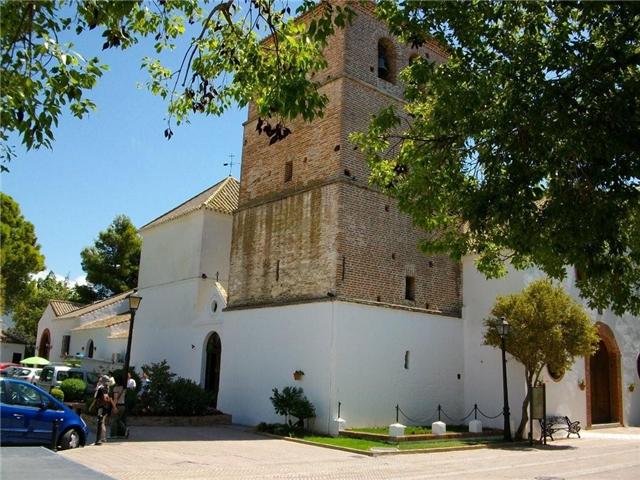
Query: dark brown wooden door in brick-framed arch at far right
[[604, 404]]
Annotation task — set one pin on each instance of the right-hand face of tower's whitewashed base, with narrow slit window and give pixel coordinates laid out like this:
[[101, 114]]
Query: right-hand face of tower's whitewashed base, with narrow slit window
[[369, 365]]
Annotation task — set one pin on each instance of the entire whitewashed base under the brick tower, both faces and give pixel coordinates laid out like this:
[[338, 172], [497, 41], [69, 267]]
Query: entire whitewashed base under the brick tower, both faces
[[350, 353]]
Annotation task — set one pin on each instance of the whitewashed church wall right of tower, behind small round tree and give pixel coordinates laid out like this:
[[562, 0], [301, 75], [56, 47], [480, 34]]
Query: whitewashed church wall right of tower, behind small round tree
[[483, 380]]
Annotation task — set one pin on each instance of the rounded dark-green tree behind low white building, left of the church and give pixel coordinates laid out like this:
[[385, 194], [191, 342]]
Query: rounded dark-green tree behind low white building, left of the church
[[112, 262]]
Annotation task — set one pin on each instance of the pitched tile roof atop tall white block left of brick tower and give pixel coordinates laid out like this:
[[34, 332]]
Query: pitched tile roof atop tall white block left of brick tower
[[222, 197]]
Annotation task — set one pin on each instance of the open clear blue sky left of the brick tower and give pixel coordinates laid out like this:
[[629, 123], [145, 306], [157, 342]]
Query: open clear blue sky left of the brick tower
[[117, 160]]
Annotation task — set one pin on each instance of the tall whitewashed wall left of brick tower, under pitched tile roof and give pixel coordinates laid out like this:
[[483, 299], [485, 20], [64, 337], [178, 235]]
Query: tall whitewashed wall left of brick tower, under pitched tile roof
[[176, 317]]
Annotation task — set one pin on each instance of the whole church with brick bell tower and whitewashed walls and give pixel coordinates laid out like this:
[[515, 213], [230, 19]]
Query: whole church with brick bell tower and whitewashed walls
[[303, 274]]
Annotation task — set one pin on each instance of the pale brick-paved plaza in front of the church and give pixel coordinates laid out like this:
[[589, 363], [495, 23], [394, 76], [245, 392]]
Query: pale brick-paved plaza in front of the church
[[232, 453]]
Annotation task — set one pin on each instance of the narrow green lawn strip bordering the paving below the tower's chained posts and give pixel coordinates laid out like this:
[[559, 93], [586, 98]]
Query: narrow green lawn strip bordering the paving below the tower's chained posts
[[367, 445]]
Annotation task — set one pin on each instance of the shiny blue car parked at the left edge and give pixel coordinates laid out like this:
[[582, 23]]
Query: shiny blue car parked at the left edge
[[28, 414]]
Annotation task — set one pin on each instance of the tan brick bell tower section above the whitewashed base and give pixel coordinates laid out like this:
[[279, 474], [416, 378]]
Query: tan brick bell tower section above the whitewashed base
[[308, 226]]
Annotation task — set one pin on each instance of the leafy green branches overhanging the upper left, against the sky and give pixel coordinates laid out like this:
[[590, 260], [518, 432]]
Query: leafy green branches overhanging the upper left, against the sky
[[226, 62]]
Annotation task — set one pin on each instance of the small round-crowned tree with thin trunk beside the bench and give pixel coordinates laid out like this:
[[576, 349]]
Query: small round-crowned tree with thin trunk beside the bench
[[547, 328]]
